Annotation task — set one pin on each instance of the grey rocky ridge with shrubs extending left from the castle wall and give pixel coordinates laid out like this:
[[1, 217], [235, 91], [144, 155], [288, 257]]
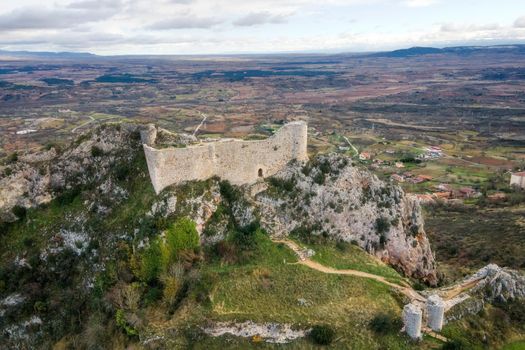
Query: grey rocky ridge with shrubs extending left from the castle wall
[[36, 178]]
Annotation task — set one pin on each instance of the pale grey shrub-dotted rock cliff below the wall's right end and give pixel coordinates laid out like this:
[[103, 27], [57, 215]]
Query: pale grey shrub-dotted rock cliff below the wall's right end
[[331, 197]]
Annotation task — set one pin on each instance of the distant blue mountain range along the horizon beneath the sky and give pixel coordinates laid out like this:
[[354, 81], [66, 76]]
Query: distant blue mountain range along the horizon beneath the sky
[[410, 52]]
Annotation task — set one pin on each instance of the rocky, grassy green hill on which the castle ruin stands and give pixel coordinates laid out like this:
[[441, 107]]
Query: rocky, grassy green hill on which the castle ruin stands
[[93, 258]]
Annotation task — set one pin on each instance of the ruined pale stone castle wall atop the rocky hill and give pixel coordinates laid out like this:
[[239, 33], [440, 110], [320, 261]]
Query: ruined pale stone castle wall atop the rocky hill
[[238, 161]]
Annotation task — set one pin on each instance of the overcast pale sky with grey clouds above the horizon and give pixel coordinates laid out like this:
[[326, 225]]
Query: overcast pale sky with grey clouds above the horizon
[[255, 26]]
